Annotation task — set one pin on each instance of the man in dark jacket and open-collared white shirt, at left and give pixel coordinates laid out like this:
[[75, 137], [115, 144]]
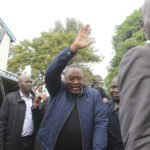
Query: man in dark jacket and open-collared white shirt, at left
[[16, 119]]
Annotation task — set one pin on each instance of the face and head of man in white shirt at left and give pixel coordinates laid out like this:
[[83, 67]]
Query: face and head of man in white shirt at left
[[25, 83]]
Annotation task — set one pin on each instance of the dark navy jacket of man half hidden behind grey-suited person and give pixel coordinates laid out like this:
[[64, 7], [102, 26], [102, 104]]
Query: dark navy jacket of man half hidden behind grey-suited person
[[114, 133]]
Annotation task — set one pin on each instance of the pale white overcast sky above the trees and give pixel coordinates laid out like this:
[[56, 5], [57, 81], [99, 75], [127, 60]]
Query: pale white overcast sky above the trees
[[26, 19]]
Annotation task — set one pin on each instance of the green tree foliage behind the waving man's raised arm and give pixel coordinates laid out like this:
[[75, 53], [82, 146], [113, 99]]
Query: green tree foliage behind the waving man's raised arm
[[39, 52]]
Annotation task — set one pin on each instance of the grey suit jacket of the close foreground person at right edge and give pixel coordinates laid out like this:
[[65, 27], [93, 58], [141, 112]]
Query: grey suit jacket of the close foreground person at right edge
[[134, 87]]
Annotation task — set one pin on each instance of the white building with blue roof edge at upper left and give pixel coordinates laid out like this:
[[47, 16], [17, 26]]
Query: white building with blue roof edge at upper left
[[6, 38]]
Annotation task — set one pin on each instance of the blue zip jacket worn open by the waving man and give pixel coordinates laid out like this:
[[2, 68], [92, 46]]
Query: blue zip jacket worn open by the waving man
[[92, 114]]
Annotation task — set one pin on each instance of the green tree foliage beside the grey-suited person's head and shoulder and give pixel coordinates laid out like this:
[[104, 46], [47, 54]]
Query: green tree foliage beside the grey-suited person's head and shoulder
[[127, 36]]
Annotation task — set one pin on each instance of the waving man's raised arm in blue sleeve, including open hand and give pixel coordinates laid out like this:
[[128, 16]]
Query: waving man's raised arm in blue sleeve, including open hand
[[56, 67]]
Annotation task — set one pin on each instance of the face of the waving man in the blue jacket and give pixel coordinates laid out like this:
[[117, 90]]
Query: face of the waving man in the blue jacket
[[74, 79]]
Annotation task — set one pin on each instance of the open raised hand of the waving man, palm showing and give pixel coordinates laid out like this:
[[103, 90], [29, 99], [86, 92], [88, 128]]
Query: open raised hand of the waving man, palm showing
[[81, 40]]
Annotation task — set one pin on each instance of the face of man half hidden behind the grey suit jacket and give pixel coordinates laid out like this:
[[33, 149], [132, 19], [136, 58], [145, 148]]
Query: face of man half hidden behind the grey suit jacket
[[114, 90]]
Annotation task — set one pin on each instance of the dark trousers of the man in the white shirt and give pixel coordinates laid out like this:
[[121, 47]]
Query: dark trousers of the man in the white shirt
[[27, 143]]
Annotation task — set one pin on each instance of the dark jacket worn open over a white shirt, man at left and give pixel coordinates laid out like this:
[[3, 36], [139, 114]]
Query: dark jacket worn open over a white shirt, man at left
[[12, 115]]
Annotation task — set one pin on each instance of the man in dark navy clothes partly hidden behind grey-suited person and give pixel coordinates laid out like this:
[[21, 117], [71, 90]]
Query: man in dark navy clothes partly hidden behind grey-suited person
[[114, 134]]
